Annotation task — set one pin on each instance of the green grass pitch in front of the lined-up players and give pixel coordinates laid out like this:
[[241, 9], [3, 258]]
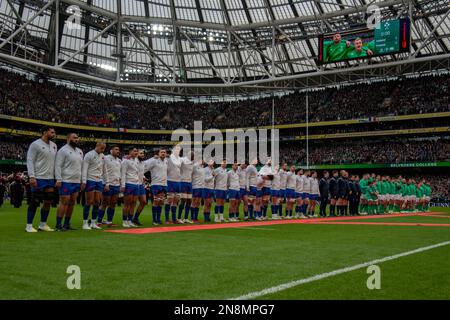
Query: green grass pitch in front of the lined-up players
[[222, 263]]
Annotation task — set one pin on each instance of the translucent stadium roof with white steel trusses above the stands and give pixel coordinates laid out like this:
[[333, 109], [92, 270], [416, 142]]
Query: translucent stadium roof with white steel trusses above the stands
[[209, 47]]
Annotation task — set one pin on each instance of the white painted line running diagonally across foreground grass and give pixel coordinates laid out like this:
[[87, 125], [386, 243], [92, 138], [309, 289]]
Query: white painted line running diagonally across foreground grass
[[281, 287]]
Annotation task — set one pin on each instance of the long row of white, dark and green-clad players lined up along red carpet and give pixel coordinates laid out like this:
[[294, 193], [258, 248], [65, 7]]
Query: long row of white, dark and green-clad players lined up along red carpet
[[180, 185]]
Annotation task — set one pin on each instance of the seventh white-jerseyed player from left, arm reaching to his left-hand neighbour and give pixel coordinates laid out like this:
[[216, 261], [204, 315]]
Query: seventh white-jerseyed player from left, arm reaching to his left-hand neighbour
[[158, 171]]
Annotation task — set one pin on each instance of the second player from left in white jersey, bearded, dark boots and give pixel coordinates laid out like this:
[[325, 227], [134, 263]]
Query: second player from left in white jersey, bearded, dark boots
[[68, 164]]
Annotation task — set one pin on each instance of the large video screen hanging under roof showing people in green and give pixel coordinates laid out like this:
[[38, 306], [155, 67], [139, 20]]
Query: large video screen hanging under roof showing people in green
[[391, 37]]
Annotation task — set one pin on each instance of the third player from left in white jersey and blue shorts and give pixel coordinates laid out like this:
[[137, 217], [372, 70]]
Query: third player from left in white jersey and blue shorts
[[92, 178]]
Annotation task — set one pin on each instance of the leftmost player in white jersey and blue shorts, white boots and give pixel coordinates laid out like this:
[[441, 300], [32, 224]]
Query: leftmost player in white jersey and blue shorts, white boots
[[41, 157]]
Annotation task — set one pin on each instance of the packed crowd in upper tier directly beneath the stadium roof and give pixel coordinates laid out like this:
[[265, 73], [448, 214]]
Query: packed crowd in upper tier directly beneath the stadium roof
[[47, 101]]
